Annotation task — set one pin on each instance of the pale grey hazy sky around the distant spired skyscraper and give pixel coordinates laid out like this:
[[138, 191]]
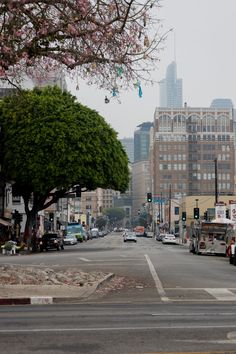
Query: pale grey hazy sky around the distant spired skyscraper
[[205, 37]]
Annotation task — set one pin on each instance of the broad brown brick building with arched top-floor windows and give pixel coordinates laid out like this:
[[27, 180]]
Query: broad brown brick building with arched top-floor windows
[[187, 144]]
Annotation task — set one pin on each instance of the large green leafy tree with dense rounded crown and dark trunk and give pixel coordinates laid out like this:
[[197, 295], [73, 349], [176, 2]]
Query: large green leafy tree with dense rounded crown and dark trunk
[[51, 143]]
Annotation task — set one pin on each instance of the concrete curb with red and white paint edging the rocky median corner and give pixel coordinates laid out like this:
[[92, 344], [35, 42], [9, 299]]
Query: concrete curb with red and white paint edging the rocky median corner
[[49, 300]]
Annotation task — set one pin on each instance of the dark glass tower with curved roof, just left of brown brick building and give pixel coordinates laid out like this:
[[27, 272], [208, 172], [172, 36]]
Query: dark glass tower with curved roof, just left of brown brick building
[[142, 142]]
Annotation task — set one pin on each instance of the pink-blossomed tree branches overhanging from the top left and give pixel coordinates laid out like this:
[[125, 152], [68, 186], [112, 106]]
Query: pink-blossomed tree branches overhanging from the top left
[[111, 43]]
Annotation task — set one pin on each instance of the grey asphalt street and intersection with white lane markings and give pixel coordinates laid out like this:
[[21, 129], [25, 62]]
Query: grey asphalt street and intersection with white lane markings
[[162, 299]]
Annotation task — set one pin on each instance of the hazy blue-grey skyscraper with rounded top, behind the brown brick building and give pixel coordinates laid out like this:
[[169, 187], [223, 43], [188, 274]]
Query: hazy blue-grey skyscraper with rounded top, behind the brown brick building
[[171, 88]]
